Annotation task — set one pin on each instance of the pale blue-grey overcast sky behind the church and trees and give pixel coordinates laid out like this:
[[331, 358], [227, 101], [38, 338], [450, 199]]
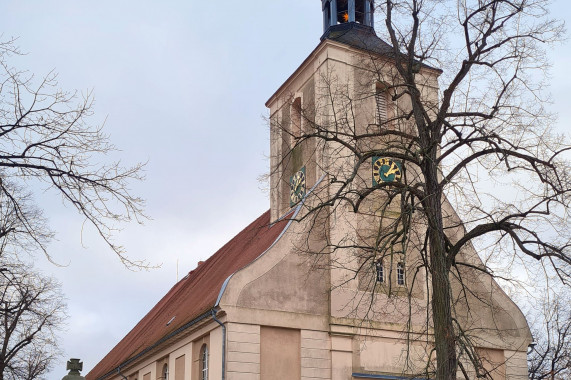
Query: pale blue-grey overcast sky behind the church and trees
[[182, 85]]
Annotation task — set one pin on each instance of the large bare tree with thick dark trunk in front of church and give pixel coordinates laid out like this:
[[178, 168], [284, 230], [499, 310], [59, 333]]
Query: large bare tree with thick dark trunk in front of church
[[453, 154]]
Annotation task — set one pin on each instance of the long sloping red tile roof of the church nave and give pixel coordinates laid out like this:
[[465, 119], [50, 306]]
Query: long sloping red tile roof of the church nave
[[192, 296]]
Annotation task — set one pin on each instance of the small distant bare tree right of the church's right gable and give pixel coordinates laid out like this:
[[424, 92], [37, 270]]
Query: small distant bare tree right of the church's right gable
[[550, 356]]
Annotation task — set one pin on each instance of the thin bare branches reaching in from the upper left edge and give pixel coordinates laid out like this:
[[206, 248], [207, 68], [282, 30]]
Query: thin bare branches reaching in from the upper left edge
[[46, 140]]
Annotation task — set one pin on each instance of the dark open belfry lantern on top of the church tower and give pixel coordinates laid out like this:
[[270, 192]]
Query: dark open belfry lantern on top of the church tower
[[343, 11]]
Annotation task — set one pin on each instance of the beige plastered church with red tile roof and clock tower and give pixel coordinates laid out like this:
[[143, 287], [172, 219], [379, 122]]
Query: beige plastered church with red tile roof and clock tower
[[277, 302]]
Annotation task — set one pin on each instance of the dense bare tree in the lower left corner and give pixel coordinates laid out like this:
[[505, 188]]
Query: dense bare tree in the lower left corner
[[32, 310]]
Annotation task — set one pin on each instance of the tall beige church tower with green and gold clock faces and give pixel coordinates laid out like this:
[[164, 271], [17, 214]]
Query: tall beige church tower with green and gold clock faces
[[340, 128]]
